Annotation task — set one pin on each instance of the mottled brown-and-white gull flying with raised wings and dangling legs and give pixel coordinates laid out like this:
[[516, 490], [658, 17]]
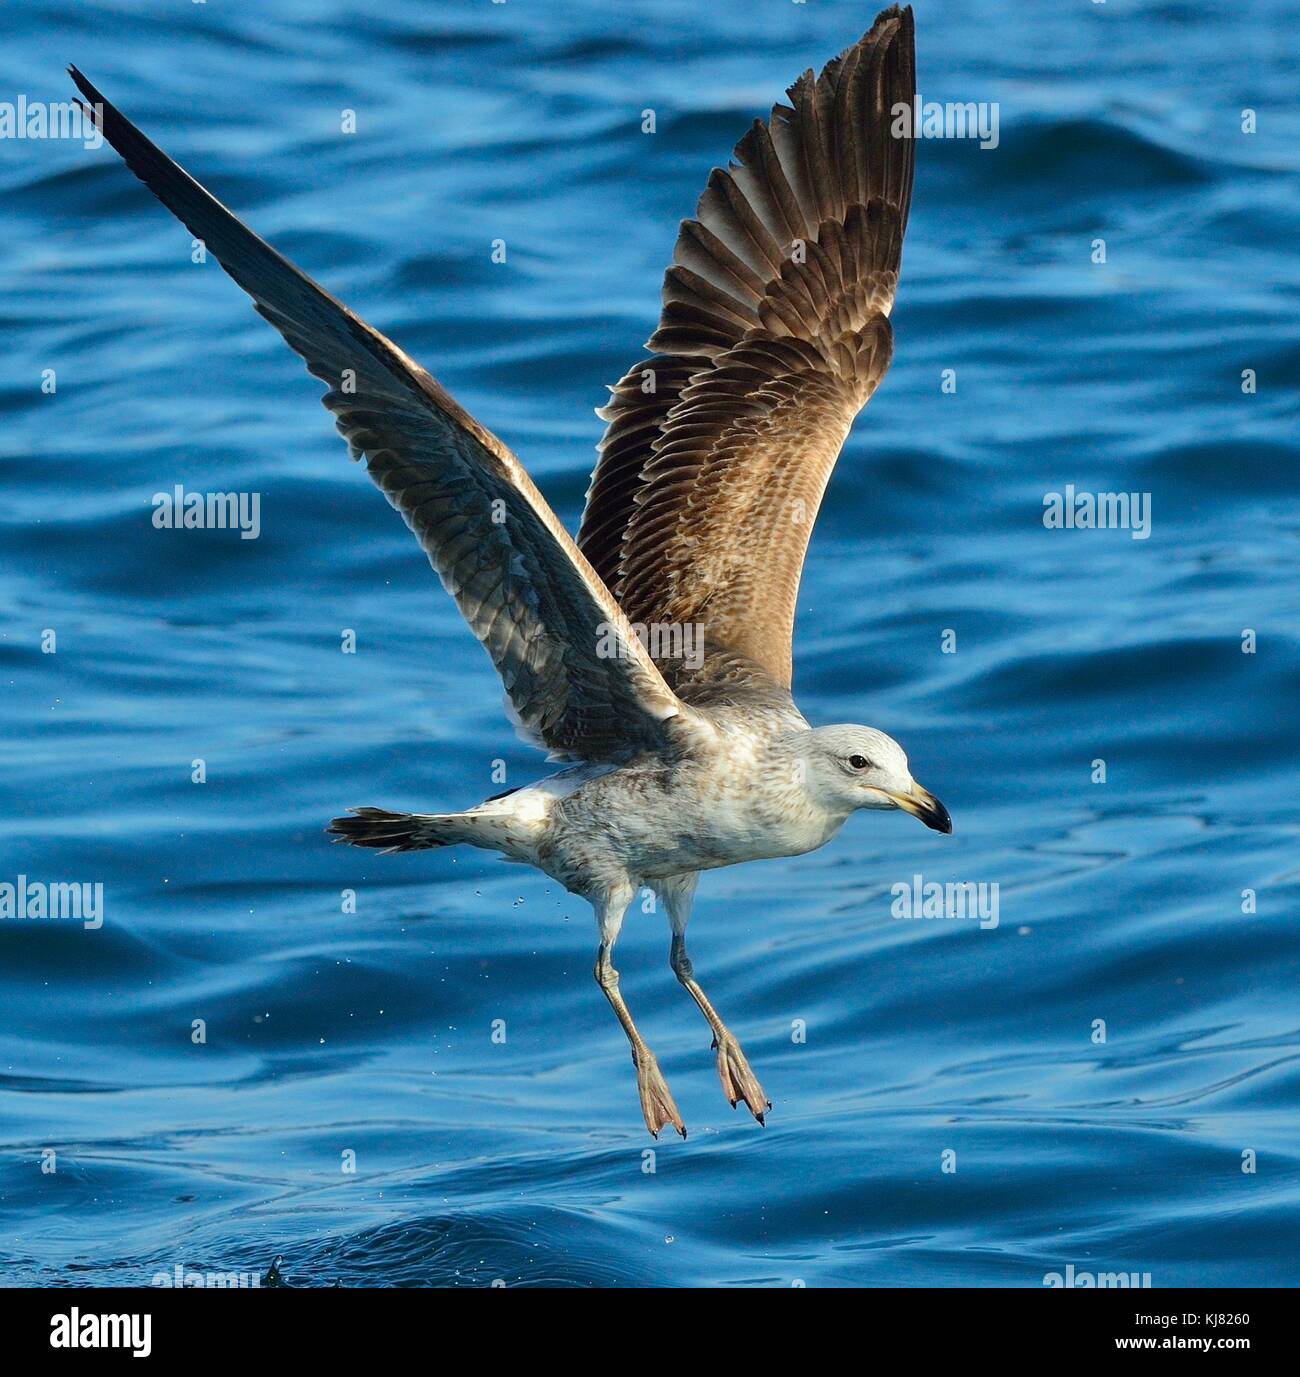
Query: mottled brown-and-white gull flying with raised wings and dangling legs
[[720, 445]]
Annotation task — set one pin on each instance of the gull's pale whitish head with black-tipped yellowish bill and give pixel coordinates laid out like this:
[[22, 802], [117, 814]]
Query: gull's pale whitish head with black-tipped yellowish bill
[[859, 768]]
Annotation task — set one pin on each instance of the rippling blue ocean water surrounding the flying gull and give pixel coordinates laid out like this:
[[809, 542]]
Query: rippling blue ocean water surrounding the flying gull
[[1109, 1078]]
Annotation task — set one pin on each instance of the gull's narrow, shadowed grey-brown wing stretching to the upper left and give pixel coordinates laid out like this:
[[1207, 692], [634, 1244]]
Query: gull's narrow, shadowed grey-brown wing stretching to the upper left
[[575, 674]]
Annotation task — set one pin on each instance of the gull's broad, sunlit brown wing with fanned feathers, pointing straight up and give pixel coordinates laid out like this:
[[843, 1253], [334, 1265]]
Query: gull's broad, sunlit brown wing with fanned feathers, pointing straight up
[[775, 335]]
